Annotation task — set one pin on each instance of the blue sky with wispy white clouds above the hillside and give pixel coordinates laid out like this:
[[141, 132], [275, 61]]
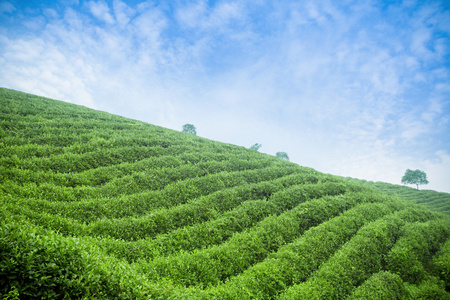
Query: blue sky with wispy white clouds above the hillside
[[351, 88]]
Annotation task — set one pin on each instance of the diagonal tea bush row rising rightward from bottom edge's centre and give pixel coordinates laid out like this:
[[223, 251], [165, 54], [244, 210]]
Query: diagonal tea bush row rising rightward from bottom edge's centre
[[295, 262]]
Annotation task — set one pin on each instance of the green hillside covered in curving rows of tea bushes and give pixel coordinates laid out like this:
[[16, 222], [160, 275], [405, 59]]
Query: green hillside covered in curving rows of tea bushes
[[98, 206]]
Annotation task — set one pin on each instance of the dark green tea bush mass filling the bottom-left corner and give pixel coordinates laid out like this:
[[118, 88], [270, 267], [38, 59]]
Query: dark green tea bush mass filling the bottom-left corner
[[40, 264]]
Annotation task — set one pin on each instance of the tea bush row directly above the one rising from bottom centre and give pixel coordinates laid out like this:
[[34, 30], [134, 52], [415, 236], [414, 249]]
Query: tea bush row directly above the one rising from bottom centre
[[215, 264]]
